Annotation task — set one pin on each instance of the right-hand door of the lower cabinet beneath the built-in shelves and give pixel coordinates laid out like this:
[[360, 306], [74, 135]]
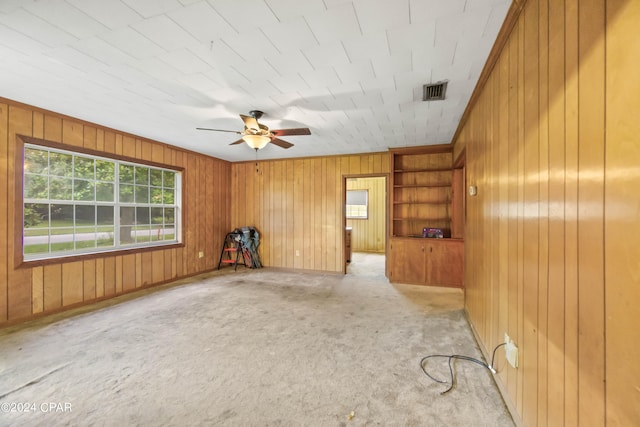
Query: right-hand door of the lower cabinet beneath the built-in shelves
[[445, 262]]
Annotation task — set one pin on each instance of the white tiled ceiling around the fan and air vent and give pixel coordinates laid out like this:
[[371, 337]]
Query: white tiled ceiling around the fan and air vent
[[350, 70]]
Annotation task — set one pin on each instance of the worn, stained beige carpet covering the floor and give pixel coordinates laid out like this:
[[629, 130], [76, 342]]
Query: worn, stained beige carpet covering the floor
[[251, 348]]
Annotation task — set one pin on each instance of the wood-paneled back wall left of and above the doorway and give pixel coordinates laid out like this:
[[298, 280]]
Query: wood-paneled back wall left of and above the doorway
[[297, 206]]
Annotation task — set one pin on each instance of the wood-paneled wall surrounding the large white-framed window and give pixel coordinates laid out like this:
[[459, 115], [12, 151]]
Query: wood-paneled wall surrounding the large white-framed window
[[29, 291]]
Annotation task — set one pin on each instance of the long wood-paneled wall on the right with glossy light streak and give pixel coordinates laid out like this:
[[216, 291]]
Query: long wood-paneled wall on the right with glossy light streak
[[551, 232]]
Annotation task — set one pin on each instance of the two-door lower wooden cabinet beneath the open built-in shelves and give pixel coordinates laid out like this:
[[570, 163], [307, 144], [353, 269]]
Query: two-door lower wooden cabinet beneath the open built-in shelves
[[437, 262]]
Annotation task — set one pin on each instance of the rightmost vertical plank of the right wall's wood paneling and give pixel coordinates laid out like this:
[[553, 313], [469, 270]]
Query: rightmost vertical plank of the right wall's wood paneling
[[622, 210]]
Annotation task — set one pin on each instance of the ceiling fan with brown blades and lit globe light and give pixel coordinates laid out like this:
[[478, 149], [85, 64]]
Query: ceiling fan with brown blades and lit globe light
[[257, 135]]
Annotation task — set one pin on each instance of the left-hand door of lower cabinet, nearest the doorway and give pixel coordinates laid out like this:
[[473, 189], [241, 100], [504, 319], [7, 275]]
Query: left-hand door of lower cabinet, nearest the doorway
[[407, 261]]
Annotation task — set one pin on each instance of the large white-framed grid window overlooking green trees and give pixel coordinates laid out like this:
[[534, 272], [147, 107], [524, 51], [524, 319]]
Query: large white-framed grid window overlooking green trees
[[76, 203]]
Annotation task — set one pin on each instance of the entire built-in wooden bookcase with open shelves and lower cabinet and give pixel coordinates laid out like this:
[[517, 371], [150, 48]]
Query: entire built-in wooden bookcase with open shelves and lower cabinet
[[423, 196]]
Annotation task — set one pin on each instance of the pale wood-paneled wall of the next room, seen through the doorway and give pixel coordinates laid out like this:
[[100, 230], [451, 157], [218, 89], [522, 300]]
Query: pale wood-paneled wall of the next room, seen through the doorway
[[369, 235]]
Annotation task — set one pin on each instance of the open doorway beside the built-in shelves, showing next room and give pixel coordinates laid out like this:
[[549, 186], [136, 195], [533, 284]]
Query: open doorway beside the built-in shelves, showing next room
[[365, 220]]
